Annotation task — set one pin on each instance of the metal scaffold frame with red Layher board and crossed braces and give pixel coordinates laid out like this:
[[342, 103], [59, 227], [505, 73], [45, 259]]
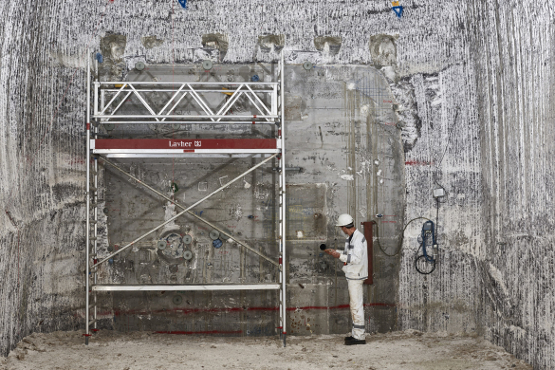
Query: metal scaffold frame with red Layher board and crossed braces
[[112, 113]]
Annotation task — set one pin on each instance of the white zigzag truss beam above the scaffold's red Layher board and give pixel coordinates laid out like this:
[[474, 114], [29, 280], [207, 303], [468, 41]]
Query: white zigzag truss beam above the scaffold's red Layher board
[[165, 102]]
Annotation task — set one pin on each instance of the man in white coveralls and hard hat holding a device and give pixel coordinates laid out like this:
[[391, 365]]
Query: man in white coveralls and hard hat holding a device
[[355, 259]]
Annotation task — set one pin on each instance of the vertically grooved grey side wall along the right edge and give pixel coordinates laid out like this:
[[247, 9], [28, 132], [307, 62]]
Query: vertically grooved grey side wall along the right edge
[[514, 62]]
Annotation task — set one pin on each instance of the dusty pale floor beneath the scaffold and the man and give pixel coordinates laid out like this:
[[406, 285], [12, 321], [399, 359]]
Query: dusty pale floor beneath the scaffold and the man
[[142, 350]]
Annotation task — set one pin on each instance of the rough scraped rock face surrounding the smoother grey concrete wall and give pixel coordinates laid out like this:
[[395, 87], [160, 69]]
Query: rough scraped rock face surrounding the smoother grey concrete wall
[[472, 81]]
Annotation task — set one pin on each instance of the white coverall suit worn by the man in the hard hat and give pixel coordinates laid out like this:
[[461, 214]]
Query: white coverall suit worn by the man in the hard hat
[[355, 257]]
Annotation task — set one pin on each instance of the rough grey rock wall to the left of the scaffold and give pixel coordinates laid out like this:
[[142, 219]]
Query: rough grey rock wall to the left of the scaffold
[[41, 171]]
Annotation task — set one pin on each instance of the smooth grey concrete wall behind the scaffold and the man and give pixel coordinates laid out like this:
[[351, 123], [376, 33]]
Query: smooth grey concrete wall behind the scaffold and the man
[[345, 154]]
